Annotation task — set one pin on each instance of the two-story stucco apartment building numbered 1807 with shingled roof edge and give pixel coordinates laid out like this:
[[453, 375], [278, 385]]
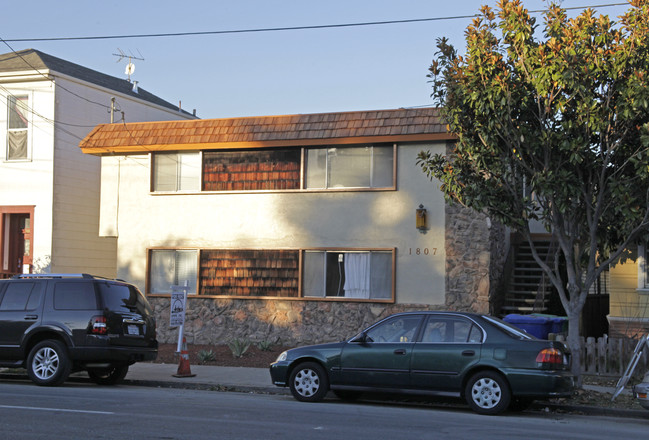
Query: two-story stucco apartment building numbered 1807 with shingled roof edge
[[298, 228]]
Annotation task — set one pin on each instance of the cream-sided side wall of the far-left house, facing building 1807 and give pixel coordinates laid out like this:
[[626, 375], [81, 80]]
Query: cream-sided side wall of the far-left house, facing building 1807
[[76, 240]]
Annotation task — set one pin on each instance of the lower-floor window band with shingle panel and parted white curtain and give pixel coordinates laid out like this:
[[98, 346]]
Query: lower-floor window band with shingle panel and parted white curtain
[[287, 273]]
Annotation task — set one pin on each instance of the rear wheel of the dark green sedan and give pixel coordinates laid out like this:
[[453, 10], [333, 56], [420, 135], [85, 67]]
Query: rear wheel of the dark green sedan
[[487, 392]]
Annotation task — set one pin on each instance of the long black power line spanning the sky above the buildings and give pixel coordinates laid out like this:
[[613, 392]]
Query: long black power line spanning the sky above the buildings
[[281, 29]]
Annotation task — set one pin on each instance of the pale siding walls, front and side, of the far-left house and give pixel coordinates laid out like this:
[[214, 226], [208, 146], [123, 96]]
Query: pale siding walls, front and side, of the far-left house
[[58, 179]]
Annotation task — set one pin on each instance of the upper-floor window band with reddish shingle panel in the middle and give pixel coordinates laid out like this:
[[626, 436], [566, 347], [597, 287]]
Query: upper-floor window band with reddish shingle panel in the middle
[[321, 168]]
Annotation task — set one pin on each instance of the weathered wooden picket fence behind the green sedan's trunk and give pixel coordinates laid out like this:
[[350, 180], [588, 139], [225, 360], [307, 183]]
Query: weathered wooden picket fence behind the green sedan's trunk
[[610, 356]]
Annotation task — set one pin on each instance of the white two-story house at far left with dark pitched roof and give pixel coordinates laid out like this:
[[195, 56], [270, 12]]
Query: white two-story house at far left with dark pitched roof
[[49, 190]]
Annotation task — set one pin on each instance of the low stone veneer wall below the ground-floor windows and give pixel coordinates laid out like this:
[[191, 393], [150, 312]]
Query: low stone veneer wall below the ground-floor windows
[[282, 322]]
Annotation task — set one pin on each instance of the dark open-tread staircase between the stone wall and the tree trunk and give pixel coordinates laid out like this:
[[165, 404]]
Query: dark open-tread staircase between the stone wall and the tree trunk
[[528, 289]]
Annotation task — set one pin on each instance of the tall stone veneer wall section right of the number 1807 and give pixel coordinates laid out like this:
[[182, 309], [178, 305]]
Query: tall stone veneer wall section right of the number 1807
[[476, 251]]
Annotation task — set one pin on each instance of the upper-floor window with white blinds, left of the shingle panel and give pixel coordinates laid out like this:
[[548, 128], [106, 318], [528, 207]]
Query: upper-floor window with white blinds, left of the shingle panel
[[177, 172]]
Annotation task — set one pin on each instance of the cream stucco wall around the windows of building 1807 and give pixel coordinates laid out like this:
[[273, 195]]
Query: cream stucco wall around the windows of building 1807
[[287, 220]]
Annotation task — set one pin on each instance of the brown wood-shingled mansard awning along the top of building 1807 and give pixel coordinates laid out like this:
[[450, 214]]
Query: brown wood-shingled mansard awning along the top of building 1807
[[401, 125]]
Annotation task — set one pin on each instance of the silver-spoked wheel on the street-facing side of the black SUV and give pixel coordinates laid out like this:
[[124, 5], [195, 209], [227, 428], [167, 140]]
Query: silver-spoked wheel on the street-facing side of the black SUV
[[48, 363]]
